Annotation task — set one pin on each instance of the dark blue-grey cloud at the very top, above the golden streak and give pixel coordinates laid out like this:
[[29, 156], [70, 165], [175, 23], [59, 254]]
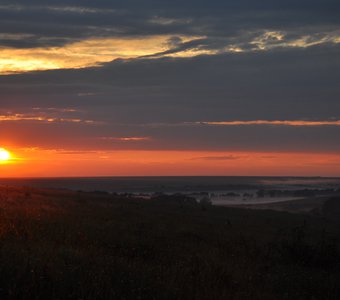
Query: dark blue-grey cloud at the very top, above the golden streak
[[69, 21]]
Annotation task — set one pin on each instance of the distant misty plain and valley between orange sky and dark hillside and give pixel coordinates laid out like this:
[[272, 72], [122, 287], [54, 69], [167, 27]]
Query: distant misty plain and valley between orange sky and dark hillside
[[252, 192]]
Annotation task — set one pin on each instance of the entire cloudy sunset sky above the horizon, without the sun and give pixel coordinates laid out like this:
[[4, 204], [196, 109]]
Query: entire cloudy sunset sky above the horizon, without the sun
[[139, 88]]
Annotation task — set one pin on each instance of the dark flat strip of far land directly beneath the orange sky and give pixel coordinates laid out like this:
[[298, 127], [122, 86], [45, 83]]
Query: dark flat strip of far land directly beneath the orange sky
[[175, 184]]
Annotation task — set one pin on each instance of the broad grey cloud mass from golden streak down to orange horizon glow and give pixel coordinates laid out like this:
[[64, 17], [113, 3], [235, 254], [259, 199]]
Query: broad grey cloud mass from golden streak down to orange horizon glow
[[166, 98]]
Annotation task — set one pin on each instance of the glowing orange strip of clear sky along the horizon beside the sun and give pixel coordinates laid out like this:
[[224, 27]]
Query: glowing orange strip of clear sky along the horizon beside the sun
[[36, 162]]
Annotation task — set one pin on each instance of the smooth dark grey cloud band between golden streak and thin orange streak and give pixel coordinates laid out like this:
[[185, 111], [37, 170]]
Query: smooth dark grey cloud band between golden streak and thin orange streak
[[281, 84]]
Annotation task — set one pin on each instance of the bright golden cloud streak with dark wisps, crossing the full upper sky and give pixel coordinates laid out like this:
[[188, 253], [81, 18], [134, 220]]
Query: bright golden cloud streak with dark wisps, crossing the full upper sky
[[96, 51]]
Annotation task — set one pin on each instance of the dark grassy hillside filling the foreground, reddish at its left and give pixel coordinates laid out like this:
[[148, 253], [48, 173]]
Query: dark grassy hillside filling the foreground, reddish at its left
[[68, 245]]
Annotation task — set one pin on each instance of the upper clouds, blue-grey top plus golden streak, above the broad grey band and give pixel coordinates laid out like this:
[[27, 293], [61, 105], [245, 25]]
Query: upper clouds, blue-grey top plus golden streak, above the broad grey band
[[61, 35]]
